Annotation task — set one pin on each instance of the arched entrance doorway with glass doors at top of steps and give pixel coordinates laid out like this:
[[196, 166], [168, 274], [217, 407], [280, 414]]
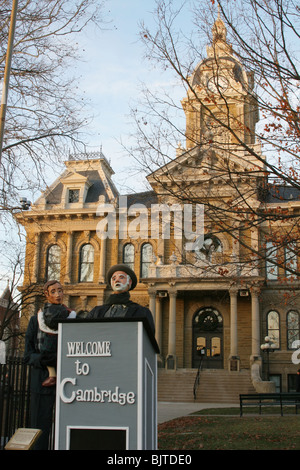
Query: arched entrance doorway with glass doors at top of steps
[[207, 339]]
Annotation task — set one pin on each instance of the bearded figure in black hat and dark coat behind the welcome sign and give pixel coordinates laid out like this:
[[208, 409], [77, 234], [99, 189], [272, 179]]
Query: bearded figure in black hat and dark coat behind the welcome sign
[[121, 279]]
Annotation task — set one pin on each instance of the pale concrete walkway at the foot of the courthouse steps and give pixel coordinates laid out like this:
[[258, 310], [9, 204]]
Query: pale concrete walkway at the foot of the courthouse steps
[[171, 410]]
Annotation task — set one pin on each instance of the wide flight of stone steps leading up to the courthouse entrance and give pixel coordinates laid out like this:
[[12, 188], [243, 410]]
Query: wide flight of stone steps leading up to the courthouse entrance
[[215, 385]]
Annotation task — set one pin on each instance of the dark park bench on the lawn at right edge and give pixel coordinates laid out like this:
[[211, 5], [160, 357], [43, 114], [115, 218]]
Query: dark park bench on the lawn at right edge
[[269, 399]]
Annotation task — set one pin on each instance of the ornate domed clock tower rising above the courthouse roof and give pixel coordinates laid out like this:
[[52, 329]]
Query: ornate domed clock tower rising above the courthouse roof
[[220, 107]]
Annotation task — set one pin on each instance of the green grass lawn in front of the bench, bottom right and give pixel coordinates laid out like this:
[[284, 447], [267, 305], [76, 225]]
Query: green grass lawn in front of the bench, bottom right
[[210, 431]]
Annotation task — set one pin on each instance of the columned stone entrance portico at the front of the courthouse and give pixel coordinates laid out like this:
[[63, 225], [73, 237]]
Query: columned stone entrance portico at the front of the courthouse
[[189, 295]]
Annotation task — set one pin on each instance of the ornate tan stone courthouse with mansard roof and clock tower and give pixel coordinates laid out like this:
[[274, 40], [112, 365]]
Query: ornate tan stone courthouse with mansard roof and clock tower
[[210, 306]]
